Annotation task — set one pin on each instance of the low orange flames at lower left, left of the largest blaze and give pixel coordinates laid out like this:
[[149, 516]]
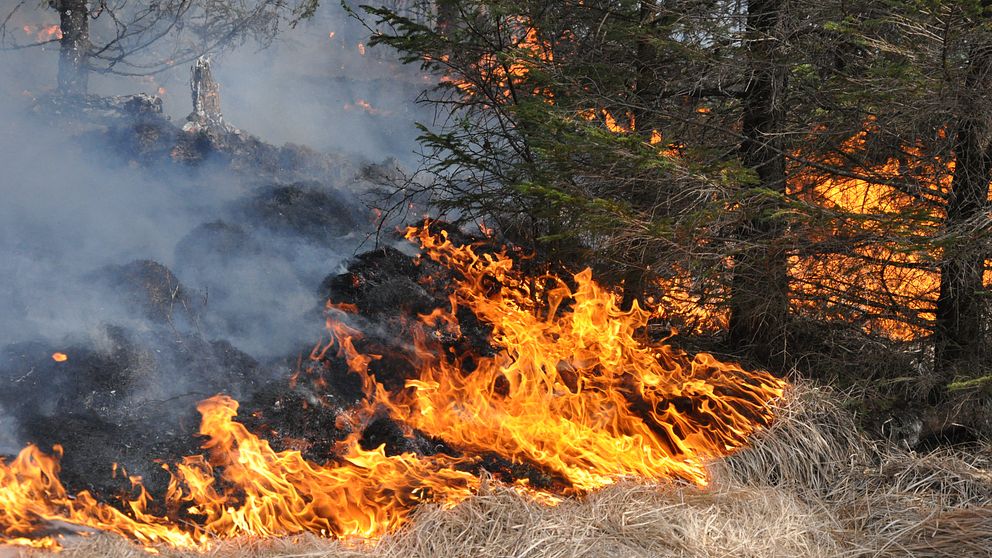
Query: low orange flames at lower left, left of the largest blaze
[[257, 492]]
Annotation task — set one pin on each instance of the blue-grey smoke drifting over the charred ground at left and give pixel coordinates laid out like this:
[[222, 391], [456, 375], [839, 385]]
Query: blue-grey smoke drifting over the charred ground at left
[[82, 220]]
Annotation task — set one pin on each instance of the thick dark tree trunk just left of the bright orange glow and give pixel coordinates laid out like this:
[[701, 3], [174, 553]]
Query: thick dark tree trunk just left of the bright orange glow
[[759, 295]]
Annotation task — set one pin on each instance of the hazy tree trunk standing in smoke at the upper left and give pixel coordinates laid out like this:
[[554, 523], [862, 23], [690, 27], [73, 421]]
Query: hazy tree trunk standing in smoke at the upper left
[[75, 46]]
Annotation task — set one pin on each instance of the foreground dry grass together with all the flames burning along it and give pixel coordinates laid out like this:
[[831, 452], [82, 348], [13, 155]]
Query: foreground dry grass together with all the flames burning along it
[[651, 452]]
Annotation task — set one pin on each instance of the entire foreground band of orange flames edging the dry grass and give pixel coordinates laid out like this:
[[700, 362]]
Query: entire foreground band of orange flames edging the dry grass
[[572, 389]]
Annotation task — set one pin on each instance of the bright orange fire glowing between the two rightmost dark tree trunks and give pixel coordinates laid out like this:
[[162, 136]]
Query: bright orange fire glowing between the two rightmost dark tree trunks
[[892, 291]]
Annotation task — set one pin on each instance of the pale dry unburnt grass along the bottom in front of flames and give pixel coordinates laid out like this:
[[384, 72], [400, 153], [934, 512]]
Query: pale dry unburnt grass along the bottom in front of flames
[[809, 486]]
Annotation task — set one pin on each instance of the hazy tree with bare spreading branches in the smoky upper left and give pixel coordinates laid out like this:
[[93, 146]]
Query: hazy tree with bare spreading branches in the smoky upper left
[[128, 37]]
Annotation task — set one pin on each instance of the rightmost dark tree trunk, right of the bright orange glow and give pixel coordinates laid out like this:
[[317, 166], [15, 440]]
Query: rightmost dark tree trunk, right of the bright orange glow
[[959, 330]]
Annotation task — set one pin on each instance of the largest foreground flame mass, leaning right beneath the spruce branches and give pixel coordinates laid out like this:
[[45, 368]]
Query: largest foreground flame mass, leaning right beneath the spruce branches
[[561, 392]]
